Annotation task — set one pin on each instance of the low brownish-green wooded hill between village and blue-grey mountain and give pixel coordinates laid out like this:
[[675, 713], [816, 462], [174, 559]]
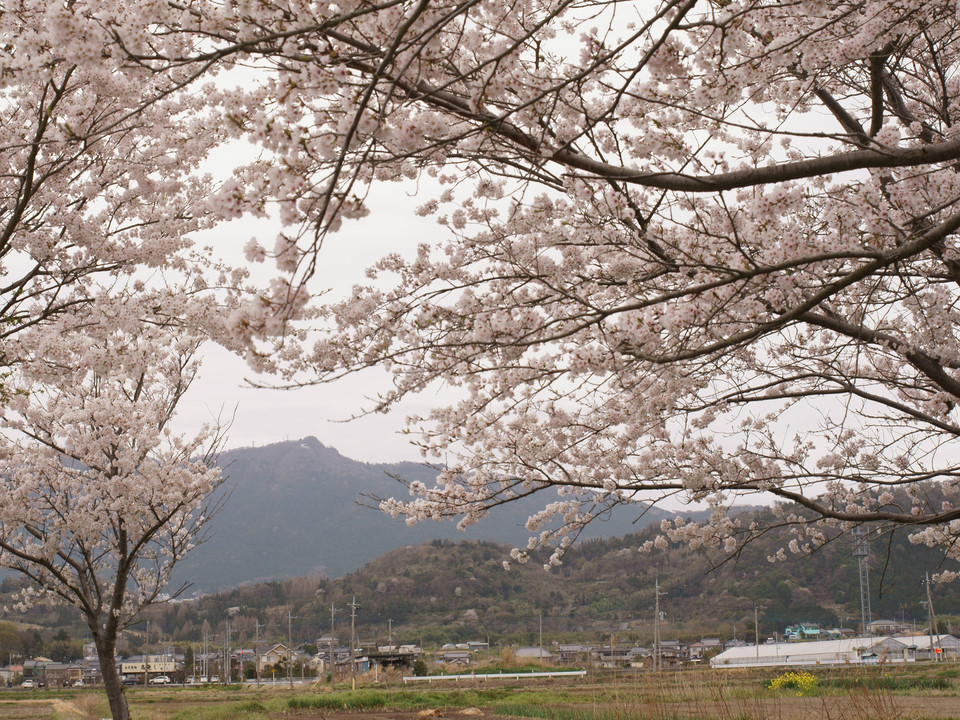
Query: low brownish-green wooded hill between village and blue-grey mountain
[[443, 591]]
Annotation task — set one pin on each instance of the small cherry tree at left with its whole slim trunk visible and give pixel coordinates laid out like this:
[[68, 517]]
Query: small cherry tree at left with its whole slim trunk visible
[[99, 498]]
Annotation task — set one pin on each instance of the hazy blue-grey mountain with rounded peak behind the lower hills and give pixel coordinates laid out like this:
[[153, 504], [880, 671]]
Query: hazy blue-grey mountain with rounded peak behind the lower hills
[[292, 508]]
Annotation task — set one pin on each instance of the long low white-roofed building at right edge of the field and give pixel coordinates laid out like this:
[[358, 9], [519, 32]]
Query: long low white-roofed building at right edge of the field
[[849, 651]]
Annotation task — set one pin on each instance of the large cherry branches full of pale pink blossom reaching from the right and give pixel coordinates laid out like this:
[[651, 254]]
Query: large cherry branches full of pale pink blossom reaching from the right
[[696, 248]]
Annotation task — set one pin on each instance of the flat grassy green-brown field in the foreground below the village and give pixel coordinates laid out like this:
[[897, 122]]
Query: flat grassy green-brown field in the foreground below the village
[[913, 692]]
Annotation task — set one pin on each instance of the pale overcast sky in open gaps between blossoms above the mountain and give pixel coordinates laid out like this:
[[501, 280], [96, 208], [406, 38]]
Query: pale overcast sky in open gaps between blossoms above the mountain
[[266, 416]]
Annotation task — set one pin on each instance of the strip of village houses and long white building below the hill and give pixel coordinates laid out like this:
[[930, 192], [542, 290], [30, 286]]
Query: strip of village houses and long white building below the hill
[[803, 644]]
